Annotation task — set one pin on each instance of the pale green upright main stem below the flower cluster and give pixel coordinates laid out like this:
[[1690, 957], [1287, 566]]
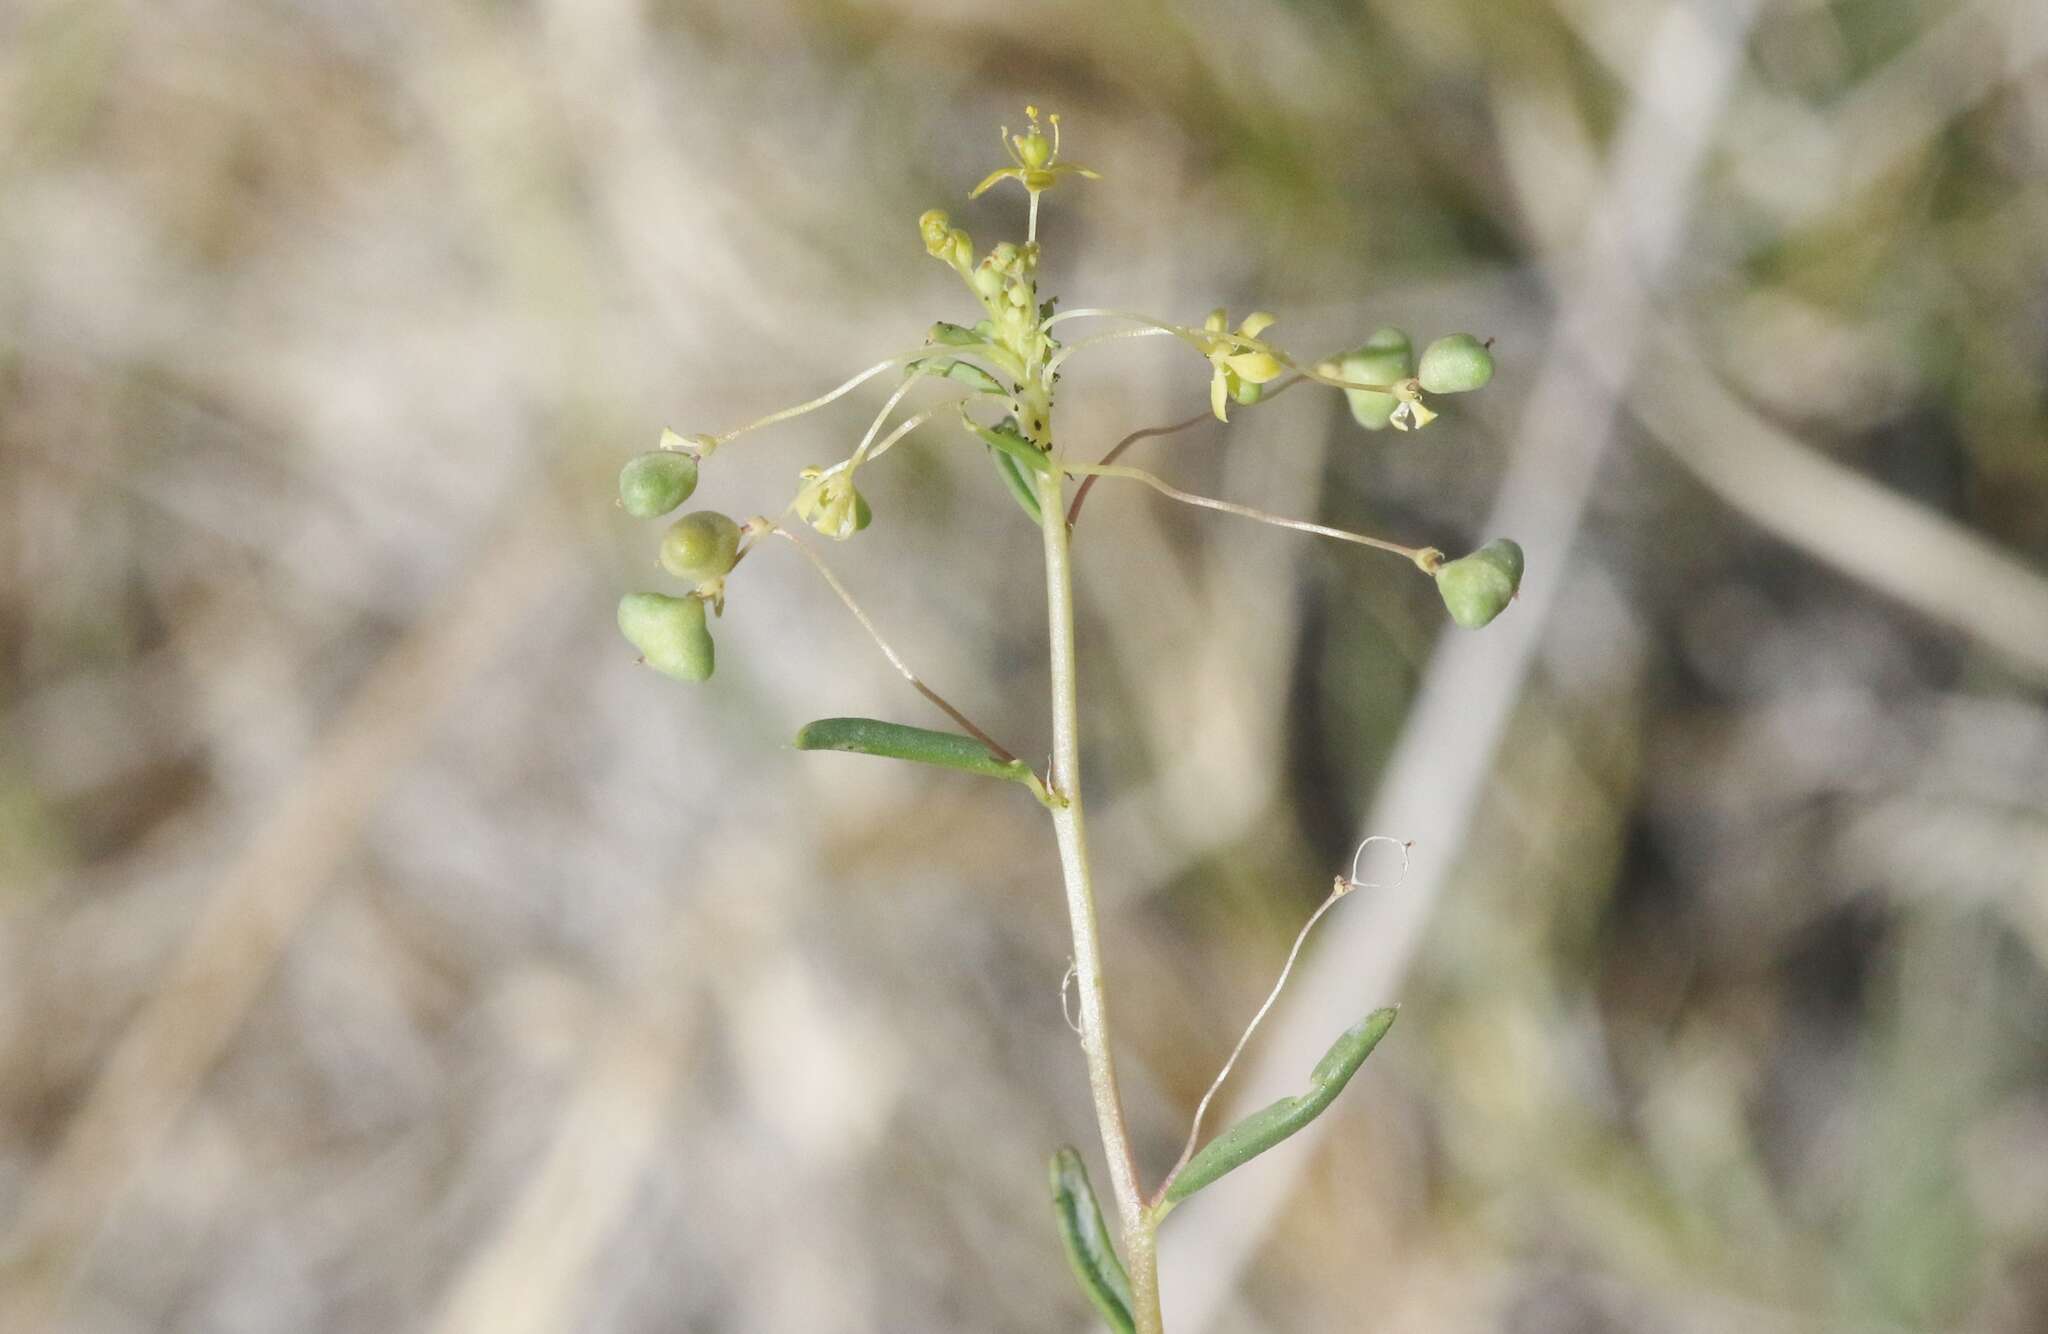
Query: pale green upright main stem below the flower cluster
[[1072, 833]]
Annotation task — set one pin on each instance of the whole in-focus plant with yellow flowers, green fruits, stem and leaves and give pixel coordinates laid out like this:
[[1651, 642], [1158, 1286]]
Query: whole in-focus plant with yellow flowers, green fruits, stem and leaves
[[1000, 382]]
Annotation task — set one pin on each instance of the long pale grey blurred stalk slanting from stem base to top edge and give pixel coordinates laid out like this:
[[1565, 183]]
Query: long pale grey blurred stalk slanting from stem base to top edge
[[1437, 774]]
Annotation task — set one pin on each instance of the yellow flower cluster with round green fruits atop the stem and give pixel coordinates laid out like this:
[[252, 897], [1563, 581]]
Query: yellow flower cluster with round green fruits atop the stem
[[1000, 374]]
